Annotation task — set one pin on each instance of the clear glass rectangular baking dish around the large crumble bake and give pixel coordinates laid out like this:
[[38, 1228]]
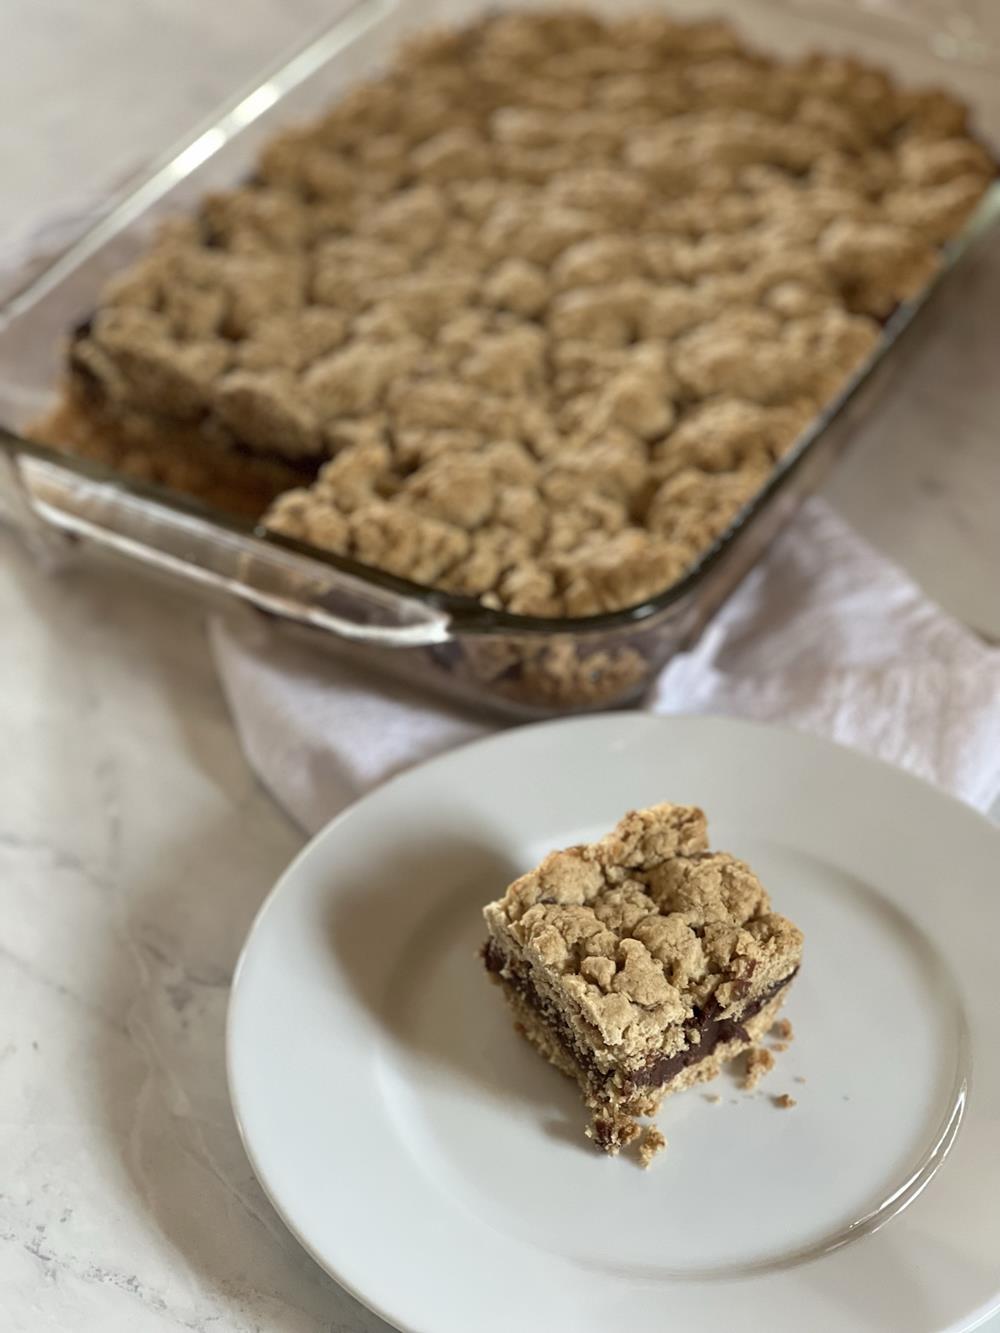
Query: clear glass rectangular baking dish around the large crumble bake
[[522, 666]]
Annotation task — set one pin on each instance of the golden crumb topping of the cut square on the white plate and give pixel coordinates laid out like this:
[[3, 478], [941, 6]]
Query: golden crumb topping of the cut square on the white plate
[[643, 927]]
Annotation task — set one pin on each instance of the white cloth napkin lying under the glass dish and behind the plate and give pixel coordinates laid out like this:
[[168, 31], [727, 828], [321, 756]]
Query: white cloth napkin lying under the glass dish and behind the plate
[[825, 634]]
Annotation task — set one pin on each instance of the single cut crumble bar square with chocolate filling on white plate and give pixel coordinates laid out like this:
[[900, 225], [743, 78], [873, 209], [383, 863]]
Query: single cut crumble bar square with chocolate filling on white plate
[[642, 963]]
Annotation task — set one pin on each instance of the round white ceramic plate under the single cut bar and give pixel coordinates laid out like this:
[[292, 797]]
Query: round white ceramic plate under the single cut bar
[[437, 1167]]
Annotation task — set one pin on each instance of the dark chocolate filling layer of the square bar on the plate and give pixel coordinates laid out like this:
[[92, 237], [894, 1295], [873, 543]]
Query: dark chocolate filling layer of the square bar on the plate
[[659, 1070]]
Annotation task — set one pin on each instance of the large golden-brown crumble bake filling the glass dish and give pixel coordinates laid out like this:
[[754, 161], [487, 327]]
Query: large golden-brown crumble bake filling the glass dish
[[542, 306]]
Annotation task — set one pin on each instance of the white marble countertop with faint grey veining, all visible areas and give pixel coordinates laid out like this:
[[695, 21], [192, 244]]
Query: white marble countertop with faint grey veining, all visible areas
[[135, 844]]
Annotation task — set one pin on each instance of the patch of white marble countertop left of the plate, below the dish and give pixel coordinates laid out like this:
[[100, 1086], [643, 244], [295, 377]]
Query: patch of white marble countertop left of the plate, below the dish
[[135, 848]]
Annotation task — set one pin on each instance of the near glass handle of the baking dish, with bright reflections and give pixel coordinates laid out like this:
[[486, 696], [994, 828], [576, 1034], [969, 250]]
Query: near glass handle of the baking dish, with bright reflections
[[45, 498]]
